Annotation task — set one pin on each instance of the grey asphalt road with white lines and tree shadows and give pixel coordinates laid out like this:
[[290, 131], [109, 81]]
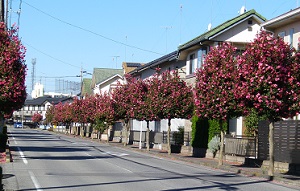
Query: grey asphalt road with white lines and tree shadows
[[48, 161]]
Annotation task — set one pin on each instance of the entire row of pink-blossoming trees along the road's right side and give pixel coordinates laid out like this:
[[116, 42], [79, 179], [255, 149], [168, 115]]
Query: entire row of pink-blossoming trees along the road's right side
[[264, 79]]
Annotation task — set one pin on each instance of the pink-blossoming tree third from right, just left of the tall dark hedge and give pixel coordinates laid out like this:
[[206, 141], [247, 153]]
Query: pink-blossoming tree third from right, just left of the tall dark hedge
[[169, 97]]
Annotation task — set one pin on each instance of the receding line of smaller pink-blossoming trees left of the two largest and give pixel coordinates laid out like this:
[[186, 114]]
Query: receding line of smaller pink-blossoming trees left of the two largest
[[164, 96]]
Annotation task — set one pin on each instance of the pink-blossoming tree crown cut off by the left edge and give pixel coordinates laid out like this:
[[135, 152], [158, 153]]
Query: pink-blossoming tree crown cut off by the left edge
[[12, 71]]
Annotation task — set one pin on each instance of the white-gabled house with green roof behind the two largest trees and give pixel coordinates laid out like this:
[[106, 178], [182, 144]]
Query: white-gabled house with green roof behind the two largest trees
[[239, 31]]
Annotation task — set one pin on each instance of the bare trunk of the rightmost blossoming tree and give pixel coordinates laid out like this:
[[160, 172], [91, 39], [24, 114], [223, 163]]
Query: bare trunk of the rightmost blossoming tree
[[271, 150]]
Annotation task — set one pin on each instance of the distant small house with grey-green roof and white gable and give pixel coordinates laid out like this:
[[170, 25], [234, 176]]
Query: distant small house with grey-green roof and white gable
[[105, 79]]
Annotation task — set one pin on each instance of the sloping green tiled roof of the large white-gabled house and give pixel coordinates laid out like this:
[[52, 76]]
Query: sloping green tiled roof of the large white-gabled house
[[220, 28]]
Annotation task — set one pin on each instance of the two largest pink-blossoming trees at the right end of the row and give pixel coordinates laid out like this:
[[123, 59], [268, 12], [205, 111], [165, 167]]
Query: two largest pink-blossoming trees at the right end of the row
[[264, 79]]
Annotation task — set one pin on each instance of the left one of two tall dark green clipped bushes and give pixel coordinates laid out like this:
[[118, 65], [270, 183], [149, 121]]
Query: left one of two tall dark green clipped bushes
[[199, 132]]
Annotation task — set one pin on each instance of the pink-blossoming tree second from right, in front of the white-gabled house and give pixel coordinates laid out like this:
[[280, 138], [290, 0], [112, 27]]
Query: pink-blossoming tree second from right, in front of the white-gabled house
[[214, 90]]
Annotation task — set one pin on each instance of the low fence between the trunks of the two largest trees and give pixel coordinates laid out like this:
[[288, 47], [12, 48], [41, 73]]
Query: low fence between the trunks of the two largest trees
[[241, 146]]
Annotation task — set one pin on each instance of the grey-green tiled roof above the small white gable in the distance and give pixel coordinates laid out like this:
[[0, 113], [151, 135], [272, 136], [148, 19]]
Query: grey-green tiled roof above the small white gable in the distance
[[101, 74]]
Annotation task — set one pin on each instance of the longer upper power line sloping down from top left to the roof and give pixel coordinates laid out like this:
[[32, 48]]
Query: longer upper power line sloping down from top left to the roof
[[89, 31]]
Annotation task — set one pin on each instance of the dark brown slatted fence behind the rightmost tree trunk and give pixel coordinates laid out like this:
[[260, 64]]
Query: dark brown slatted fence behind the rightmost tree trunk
[[286, 141]]
